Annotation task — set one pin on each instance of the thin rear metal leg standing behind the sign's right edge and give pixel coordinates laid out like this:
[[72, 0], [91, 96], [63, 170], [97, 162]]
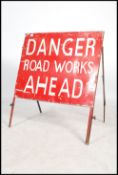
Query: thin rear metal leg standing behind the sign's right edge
[[103, 80]]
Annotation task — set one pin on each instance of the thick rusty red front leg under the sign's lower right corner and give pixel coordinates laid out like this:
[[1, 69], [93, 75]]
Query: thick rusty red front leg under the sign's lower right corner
[[89, 125]]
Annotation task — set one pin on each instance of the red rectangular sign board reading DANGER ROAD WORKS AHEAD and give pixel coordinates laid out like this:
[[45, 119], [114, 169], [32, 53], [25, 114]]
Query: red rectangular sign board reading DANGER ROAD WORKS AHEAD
[[60, 67]]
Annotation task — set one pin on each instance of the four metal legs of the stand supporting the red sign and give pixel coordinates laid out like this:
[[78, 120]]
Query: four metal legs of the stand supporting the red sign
[[90, 118]]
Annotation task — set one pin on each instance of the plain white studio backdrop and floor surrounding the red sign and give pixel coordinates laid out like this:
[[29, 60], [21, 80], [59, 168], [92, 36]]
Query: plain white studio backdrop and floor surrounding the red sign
[[53, 141]]
